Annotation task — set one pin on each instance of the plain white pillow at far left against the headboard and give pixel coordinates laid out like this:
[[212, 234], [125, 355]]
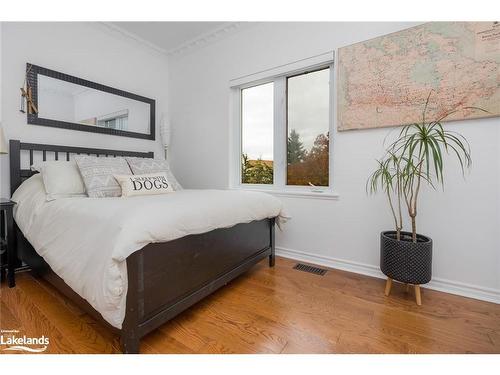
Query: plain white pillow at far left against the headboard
[[62, 179]]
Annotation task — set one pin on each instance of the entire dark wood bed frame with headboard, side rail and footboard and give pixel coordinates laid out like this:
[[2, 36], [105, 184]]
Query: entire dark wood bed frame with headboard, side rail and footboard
[[166, 278]]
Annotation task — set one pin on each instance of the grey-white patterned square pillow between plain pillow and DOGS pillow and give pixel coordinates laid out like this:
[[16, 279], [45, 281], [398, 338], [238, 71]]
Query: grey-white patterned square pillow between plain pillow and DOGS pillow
[[97, 174]]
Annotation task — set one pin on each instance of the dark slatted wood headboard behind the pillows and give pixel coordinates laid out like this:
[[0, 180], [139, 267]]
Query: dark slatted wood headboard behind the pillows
[[19, 174]]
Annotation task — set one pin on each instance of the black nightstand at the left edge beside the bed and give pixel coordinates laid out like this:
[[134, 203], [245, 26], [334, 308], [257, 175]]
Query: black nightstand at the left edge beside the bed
[[8, 252]]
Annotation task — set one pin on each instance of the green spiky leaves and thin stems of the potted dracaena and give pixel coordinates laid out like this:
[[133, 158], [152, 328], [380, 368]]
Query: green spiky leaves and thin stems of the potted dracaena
[[414, 158]]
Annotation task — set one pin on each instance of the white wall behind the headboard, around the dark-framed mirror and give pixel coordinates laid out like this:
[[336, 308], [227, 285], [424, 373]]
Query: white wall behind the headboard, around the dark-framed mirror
[[84, 50]]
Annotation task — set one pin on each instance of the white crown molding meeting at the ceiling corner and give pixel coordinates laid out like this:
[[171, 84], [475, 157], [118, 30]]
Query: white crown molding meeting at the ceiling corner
[[201, 40]]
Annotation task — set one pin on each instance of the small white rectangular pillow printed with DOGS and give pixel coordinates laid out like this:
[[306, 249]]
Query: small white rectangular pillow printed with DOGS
[[144, 184]]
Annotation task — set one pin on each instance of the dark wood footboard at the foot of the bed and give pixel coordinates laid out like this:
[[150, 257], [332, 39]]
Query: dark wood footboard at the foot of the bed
[[164, 279]]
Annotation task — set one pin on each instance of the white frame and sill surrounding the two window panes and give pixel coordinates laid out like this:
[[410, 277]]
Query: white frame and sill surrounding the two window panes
[[279, 76]]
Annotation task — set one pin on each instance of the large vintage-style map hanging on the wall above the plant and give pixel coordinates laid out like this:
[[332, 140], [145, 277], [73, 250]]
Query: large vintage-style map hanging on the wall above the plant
[[385, 81]]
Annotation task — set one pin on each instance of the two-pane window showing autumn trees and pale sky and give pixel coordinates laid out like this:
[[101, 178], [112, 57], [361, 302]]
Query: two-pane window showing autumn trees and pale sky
[[284, 131]]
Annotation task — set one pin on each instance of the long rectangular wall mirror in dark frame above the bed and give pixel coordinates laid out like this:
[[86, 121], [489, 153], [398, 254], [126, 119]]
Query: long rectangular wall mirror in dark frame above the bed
[[69, 102]]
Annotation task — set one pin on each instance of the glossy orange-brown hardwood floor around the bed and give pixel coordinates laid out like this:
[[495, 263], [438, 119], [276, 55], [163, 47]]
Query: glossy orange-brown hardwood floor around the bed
[[278, 310]]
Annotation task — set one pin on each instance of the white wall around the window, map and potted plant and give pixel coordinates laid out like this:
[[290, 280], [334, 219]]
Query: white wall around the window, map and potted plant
[[463, 221]]
